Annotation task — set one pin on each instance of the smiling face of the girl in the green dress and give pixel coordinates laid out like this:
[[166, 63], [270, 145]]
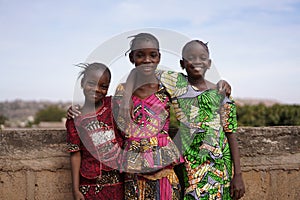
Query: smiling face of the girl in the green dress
[[196, 60]]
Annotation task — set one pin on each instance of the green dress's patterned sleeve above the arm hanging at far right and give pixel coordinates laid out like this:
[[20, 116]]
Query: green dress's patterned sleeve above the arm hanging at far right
[[228, 116]]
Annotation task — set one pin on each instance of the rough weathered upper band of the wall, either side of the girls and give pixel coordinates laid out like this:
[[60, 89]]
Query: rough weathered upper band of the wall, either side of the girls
[[45, 149]]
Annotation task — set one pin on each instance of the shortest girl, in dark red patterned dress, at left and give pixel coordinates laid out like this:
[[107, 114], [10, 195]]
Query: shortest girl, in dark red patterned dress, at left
[[93, 140]]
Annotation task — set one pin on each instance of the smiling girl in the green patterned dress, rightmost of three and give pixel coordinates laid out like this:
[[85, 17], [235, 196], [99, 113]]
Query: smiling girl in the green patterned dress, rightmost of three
[[207, 129]]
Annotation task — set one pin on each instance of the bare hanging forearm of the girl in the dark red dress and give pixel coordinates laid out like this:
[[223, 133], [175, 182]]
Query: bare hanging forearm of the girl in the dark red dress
[[75, 160]]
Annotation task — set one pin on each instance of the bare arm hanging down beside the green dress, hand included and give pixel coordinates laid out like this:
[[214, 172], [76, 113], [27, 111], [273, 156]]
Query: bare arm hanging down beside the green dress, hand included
[[237, 187]]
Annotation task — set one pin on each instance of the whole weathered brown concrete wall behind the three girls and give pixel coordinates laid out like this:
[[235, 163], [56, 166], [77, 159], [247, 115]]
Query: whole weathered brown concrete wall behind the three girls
[[35, 165]]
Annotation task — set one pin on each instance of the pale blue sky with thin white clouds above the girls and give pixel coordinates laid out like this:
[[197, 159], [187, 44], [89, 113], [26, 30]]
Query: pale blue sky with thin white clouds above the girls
[[254, 45]]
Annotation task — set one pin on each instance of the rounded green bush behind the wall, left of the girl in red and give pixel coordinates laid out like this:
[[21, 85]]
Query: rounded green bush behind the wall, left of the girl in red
[[51, 113]]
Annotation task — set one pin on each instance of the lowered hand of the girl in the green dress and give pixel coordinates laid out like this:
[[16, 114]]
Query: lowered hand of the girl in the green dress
[[237, 187]]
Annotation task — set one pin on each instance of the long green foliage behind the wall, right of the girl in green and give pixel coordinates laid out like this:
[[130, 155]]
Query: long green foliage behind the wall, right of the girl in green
[[261, 115]]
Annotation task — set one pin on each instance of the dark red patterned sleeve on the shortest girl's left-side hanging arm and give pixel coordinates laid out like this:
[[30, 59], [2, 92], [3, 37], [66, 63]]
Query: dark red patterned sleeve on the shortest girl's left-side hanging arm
[[73, 139]]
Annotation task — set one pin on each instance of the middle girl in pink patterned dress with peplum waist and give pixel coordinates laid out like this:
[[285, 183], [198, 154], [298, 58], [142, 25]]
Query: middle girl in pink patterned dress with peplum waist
[[149, 153]]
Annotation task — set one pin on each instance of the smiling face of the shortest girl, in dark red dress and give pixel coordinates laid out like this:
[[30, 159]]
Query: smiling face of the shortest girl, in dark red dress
[[95, 85]]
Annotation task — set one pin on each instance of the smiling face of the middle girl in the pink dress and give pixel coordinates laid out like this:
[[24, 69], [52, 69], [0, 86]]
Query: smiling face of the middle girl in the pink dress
[[145, 57]]
